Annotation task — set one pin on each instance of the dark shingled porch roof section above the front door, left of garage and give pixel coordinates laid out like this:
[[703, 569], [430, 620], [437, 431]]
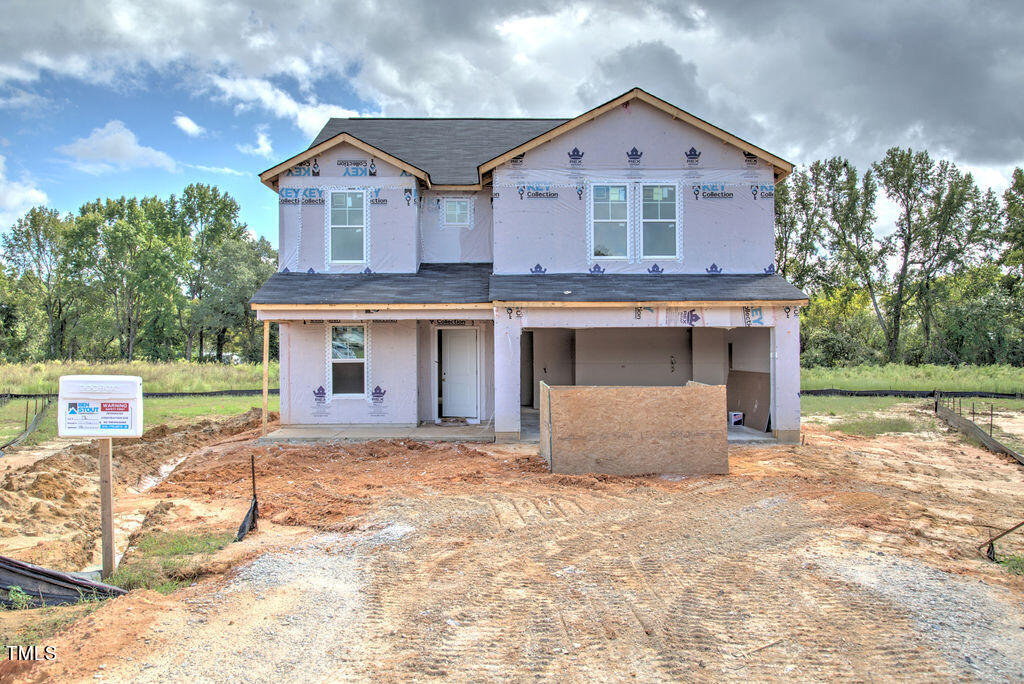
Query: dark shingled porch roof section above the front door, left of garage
[[455, 283]]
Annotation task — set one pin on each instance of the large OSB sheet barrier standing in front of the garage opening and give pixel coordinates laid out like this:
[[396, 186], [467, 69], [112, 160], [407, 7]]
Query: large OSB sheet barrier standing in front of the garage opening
[[637, 431]]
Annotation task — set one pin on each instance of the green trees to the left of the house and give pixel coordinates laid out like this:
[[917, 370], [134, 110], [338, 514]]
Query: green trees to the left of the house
[[134, 279]]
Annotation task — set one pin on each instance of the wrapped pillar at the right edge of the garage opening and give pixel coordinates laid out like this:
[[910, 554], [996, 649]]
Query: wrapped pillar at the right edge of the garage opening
[[786, 376]]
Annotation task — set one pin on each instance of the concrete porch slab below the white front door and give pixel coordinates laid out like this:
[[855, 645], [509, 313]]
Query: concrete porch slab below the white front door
[[363, 433]]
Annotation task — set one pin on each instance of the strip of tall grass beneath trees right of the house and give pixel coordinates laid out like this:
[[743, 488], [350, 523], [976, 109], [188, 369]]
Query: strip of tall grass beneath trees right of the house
[[895, 376]]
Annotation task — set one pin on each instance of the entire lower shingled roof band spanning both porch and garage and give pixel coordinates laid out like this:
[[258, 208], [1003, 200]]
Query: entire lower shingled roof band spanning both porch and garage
[[474, 283]]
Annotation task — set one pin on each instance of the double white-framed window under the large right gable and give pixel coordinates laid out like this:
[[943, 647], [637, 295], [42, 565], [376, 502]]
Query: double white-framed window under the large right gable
[[618, 234]]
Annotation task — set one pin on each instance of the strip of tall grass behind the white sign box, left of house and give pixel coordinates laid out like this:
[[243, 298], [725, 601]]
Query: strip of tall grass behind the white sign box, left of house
[[157, 377]]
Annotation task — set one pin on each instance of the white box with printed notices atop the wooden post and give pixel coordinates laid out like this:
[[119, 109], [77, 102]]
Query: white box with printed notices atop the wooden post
[[100, 406]]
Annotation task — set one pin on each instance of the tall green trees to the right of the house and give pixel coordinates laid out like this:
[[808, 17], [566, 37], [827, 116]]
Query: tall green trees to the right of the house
[[945, 287]]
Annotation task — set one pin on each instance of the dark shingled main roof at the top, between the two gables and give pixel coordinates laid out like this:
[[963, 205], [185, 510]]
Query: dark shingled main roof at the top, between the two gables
[[449, 150]]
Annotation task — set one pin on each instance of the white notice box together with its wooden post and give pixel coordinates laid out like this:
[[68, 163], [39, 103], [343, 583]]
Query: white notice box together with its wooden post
[[105, 407]]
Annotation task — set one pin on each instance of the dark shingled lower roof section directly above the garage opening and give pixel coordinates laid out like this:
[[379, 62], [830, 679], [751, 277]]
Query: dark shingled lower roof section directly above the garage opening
[[643, 288]]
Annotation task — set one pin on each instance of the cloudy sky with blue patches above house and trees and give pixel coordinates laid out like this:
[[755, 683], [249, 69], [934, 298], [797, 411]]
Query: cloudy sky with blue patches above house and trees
[[145, 98]]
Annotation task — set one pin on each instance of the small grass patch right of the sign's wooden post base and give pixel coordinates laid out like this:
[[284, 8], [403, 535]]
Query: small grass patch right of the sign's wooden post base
[[165, 562]]
